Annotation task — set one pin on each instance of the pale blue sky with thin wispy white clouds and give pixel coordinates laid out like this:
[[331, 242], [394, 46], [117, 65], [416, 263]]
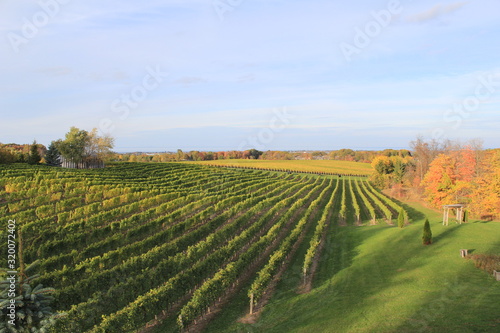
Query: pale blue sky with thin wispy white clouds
[[240, 74]]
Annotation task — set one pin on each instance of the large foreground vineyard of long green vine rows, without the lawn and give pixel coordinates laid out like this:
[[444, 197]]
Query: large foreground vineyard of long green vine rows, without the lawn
[[136, 244]]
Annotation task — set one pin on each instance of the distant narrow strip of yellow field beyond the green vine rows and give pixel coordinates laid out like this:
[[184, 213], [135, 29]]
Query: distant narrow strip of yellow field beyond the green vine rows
[[344, 167]]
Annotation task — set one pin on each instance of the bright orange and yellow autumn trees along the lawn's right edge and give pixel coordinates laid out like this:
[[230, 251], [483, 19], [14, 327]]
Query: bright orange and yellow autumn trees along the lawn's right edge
[[444, 172]]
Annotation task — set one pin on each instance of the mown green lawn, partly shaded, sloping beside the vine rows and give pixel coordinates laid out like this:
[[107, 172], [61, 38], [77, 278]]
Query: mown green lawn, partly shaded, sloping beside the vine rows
[[381, 279]]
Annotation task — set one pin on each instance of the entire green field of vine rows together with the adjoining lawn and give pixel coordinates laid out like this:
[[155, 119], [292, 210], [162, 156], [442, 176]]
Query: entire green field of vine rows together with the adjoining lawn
[[178, 245]]
